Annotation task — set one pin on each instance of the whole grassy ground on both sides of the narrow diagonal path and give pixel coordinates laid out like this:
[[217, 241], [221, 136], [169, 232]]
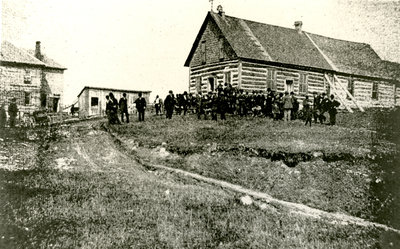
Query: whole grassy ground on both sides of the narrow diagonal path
[[83, 190]]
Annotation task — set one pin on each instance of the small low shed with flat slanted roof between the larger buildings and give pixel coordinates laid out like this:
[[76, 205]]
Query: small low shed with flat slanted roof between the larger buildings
[[92, 100]]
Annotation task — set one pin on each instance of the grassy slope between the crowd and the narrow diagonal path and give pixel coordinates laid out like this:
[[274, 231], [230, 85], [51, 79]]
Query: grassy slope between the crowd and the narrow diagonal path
[[347, 168]]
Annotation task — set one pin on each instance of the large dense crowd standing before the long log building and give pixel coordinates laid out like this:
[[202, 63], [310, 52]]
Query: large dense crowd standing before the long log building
[[278, 106]]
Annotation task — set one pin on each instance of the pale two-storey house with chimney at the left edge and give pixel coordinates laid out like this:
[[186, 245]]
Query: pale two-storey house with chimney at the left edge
[[32, 78]]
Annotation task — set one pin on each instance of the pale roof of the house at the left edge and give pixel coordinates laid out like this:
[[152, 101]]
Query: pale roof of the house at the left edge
[[10, 53]]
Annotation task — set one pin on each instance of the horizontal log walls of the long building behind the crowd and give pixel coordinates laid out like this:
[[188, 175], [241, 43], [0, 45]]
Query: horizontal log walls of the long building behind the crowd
[[255, 77]]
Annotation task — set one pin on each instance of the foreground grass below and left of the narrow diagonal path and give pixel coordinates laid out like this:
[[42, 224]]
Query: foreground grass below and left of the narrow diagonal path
[[103, 199]]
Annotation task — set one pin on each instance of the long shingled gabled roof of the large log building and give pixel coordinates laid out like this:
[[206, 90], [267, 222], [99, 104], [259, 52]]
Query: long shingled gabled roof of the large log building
[[269, 43]]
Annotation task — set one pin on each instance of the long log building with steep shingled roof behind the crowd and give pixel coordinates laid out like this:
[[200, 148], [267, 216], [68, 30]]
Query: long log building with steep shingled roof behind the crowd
[[255, 56]]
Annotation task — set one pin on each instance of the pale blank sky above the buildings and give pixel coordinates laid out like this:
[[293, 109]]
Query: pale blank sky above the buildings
[[142, 45]]
